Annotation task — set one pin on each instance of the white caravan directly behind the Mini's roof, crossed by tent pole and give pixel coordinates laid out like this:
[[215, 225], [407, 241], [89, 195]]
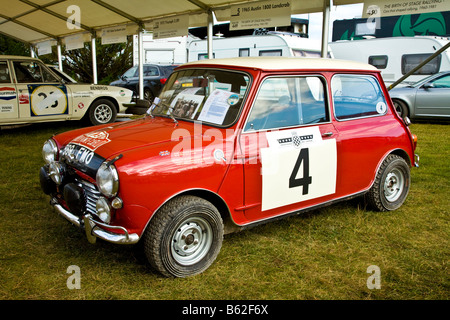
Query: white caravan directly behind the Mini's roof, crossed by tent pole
[[271, 44]]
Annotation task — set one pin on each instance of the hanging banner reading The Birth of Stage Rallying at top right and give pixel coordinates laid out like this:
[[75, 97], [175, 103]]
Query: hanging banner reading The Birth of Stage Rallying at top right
[[386, 8]]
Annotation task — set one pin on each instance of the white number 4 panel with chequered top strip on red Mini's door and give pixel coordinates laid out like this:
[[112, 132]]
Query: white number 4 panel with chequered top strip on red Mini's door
[[298, 165]]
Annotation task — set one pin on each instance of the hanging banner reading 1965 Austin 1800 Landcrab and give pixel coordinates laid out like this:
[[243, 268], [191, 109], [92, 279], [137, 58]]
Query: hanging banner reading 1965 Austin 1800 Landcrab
[[262, 14]]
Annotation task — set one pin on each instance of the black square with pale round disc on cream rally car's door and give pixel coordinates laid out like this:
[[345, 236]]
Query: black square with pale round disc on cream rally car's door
[[48, 100]]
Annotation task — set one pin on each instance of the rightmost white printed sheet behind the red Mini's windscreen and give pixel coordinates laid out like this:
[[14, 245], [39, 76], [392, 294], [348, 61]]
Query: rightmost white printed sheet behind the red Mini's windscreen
[[216, 107]]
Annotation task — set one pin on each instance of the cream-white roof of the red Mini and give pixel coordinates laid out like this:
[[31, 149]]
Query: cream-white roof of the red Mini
[[286, 63]]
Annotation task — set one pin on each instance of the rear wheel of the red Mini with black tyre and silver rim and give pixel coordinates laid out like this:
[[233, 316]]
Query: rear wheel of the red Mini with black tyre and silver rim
[[391, 184]]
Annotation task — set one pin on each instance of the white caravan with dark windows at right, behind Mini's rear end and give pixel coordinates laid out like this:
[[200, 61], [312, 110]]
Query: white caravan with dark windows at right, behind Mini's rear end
[[396, 56]]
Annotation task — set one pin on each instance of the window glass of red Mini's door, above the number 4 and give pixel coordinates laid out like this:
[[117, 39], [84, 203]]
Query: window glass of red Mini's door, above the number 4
[[288, 101]]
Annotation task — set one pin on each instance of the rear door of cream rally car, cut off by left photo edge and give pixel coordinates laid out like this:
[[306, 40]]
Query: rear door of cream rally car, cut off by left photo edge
[[9, 111]]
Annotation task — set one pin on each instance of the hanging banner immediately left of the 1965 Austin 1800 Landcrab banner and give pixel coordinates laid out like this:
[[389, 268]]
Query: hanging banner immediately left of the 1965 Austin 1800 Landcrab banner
[[171, 27]]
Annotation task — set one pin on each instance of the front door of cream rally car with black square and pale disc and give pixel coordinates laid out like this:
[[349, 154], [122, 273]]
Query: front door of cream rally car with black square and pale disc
[[41, 95]]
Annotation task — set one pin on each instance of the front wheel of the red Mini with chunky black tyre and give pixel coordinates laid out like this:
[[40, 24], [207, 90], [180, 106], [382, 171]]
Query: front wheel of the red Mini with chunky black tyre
[[184, 237]]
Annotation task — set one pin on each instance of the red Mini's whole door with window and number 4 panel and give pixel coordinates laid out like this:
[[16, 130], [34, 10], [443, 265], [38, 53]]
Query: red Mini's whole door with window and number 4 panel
[[289, 147]]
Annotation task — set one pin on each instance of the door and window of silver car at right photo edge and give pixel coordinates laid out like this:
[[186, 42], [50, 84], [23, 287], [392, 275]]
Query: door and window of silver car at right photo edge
[[432, 97]]
